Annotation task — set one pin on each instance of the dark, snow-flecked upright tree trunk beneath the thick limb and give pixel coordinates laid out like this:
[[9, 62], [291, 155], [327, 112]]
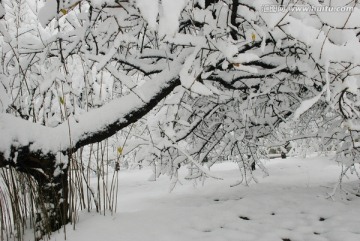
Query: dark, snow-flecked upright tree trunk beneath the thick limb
[[52, 190]]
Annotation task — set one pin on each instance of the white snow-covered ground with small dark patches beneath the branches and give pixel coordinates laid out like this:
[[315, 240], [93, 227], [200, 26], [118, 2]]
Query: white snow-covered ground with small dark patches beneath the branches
[[290, 204]]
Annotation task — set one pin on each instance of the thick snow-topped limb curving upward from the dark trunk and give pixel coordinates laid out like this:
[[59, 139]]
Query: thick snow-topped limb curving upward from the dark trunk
[[91, 127]]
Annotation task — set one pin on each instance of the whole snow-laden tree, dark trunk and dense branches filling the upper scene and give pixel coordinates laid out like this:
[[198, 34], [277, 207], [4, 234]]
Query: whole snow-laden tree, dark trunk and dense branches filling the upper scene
[[217, 77]]
